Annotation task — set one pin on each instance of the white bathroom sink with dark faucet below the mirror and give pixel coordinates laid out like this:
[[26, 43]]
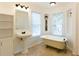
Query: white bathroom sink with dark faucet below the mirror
[[22, 34]]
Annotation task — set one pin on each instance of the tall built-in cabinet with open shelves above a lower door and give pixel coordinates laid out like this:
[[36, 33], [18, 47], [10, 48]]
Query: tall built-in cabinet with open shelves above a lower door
[[6, 35]]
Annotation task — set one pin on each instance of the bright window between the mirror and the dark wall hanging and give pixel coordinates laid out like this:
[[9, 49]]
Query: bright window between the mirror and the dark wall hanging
[[35, 24]]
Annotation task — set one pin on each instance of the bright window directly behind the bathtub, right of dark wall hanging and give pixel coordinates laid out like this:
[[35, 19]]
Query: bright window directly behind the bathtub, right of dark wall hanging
[[58, 24]]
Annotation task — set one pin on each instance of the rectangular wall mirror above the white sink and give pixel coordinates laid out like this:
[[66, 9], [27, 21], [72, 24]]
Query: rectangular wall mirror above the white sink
[[21, 19]]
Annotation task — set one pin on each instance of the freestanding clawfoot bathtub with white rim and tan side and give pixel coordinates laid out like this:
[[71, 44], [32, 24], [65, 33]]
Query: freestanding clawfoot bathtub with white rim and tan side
[[54, 41]]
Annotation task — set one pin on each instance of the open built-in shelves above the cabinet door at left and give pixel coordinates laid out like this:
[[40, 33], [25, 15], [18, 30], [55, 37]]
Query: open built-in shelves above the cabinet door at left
[[6, 25]]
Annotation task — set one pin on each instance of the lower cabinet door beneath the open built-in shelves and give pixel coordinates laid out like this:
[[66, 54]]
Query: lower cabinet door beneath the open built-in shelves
[[6, 47]]
